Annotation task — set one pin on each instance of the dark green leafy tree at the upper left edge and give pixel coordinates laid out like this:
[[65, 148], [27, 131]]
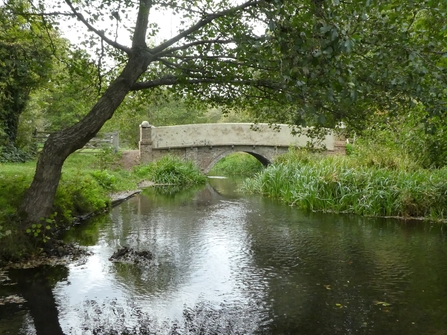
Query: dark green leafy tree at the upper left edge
[[26, 60]]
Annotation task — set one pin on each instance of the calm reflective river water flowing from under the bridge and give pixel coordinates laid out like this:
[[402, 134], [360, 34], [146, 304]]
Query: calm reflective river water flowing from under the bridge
[[226, 264]]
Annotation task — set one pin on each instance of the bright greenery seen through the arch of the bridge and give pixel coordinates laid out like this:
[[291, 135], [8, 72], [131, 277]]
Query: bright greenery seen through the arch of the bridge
[[237, 164]]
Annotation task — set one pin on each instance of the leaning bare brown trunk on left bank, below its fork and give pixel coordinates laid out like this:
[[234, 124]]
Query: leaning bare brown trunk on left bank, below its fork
[[39, 198]]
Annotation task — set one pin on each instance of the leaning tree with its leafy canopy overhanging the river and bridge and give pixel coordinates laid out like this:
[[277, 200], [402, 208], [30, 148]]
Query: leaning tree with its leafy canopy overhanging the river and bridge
[[299, 61]]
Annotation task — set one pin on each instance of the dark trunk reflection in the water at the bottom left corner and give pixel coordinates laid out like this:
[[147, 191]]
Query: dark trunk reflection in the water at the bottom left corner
[[36, 286]]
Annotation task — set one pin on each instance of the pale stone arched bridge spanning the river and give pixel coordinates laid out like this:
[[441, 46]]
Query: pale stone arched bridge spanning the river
[[206, 144]]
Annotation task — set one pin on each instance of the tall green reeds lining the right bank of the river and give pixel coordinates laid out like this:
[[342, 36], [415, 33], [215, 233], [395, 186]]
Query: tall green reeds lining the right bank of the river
[[354, 184]]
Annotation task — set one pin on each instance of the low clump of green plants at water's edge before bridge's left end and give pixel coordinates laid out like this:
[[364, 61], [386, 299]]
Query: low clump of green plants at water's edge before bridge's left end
[[171, 170]]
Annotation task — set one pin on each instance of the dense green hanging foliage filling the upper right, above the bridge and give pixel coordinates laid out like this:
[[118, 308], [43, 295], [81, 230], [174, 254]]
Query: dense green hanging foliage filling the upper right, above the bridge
[[347, 61]]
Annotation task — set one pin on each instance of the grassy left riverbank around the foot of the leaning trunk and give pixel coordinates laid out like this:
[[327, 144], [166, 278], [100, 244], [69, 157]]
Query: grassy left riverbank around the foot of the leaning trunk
[[87, 182]]
